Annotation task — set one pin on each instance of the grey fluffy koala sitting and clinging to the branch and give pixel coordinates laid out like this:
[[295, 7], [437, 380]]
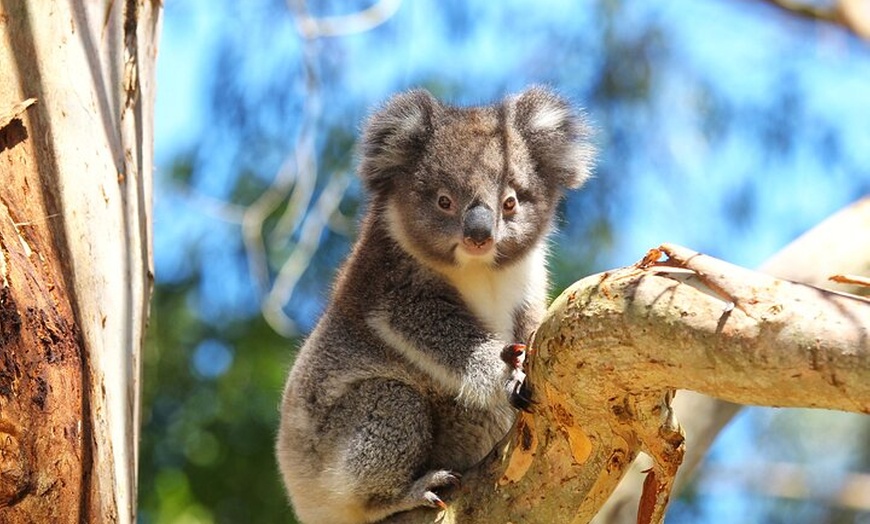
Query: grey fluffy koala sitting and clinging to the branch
[[402, 384]]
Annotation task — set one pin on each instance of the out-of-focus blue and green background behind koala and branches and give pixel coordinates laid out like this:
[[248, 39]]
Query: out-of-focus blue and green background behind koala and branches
[[729, 126]]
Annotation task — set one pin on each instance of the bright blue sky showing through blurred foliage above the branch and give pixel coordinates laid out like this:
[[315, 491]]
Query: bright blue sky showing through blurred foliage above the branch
[[726, 43]]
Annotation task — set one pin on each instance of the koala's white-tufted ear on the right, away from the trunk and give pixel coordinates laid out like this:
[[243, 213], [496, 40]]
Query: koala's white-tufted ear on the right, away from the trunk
[[556, 134]]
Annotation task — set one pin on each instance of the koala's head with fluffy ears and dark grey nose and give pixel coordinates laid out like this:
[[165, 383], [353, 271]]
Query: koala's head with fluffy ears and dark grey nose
[[472, 185]]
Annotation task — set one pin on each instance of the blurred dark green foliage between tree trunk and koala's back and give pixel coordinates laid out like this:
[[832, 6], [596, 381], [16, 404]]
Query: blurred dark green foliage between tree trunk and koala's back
[[207, 435]]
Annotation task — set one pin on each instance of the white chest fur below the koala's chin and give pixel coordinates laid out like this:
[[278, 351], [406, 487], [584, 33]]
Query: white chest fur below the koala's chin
[[494, 295]]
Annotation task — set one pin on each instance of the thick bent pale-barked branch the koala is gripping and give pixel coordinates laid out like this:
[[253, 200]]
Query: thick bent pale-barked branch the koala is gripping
[[615, 346]]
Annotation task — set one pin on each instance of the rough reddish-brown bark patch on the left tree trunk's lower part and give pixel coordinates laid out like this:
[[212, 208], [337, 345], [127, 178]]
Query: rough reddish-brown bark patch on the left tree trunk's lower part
[[40, 379]]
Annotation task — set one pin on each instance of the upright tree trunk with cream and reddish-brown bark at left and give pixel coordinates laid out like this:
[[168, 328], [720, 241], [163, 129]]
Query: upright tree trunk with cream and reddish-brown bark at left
[[76, 105]]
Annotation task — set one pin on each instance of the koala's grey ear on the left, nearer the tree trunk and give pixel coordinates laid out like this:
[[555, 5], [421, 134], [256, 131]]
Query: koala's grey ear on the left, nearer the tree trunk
[[395, 137]]
